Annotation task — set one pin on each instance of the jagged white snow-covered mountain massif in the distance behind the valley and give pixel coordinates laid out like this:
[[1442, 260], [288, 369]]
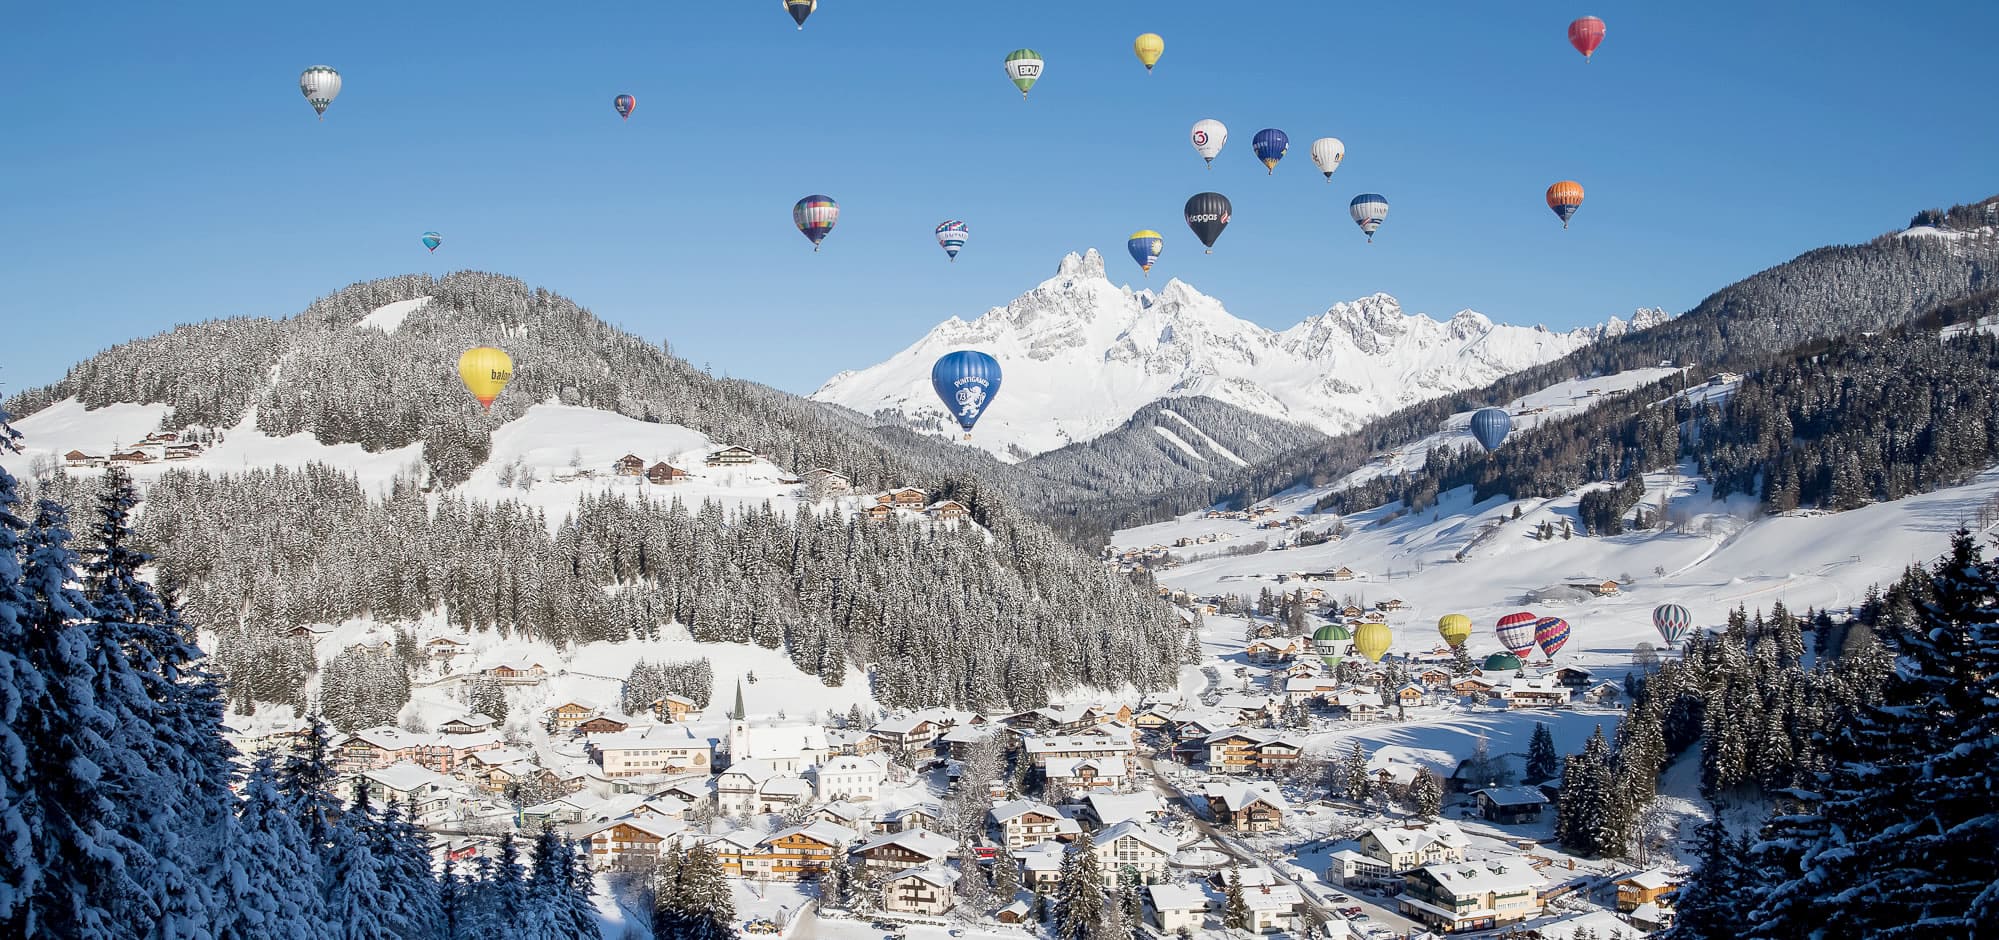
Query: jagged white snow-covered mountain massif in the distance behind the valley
[[1082, 355]]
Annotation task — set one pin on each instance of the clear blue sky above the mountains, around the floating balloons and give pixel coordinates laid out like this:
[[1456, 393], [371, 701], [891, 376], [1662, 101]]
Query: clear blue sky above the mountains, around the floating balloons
[[159, 163]]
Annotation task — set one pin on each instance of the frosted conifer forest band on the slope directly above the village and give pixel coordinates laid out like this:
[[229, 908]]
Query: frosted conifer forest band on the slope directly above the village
[[941, 615]]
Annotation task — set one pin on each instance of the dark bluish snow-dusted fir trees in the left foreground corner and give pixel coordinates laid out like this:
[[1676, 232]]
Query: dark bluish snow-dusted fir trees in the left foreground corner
[[119, 795]]
